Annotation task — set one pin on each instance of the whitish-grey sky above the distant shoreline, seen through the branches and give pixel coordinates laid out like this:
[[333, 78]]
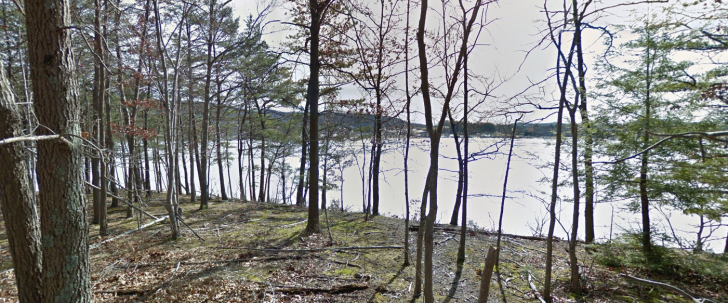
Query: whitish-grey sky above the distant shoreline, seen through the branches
[[508, 50]]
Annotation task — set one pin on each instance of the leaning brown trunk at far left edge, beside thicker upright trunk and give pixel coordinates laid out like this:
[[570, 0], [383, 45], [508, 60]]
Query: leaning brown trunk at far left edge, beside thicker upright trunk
[[17, 200]]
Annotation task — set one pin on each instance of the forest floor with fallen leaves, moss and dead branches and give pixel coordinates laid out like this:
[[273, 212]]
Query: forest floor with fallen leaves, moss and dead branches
[[256, 252]]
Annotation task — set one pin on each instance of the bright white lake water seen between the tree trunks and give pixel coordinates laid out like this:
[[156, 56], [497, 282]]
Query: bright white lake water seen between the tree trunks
[[525, 208]]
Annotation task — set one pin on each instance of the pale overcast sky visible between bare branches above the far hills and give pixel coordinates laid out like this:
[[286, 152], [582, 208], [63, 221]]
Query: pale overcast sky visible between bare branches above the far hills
[[516, 29]]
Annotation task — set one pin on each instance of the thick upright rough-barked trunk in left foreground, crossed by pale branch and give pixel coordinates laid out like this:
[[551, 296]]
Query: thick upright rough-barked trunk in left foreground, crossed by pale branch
[[60, 176]]
